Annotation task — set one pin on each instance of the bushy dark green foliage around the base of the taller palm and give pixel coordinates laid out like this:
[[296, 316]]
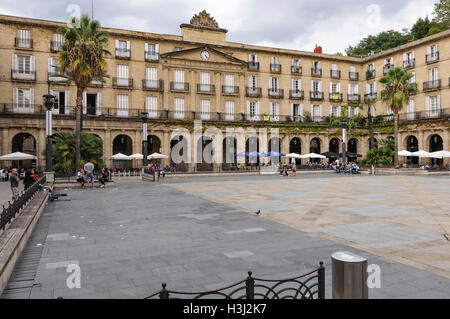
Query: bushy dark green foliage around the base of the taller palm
[[64, 151]]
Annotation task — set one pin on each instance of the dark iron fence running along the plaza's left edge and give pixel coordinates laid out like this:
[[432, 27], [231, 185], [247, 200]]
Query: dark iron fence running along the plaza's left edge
[[13, 209]]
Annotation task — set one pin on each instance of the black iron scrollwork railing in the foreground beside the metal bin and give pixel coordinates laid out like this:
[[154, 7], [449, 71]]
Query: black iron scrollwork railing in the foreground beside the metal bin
[[307, 286]]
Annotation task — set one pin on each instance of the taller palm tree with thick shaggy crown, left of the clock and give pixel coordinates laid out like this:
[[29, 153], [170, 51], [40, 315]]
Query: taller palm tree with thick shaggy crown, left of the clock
[[81, 57]]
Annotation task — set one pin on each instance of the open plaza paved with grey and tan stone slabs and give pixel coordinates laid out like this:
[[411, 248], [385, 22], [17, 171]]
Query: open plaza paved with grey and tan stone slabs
[[201, 233]]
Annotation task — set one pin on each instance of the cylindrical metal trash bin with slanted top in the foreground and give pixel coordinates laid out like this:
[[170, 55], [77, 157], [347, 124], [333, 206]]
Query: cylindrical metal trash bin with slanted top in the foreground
[[349, 276]]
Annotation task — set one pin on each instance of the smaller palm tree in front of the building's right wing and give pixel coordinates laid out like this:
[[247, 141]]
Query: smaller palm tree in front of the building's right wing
[[397, 90]]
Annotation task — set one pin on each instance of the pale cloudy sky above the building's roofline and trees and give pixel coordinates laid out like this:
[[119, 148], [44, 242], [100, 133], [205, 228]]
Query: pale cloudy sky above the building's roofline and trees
[[293, 24]]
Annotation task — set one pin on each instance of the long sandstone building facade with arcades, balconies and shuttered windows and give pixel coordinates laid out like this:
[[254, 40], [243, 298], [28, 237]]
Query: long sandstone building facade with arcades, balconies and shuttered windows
[[199, 75]]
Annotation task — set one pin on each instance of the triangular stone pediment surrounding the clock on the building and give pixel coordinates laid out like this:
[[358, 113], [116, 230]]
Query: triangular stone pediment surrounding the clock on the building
[[215, 56]]
